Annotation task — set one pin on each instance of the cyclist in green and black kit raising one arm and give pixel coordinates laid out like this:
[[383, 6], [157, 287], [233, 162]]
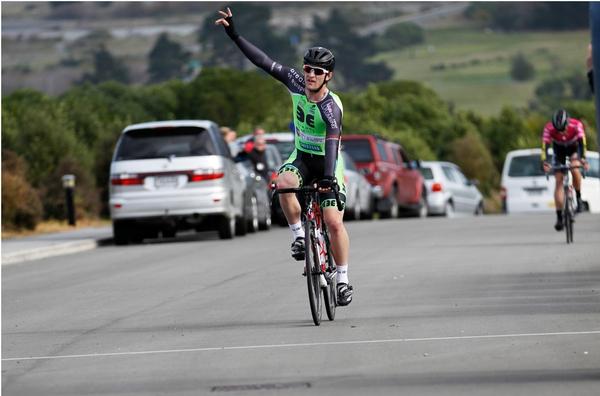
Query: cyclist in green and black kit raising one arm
[[317, 116]]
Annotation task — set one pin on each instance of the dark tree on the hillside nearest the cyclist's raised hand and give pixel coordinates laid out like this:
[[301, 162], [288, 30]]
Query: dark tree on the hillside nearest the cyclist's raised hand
[[167, 59]]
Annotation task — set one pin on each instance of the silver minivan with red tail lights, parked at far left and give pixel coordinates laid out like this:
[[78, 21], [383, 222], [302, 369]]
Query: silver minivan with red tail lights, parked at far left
[[171, 175]]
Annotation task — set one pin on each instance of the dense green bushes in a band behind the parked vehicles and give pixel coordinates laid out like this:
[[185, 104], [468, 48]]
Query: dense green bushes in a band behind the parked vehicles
[[76, 132]]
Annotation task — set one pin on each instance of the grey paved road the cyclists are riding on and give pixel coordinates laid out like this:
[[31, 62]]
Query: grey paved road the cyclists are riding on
[[486, 306]]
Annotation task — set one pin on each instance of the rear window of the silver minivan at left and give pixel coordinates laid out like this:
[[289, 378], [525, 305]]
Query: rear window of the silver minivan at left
[[164, 143]]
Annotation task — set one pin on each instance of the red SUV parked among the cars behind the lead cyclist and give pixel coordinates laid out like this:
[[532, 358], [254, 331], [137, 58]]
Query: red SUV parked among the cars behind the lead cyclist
[[397, 184]]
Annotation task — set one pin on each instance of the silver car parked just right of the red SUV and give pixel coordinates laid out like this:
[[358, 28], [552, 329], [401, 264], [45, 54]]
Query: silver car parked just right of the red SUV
[[449, 191]]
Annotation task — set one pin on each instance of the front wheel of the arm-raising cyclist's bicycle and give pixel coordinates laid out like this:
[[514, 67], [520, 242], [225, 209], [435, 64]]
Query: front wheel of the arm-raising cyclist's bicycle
[[312, 273]]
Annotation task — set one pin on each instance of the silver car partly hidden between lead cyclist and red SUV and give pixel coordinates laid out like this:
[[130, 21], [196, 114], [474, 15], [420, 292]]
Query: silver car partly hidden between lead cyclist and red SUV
[[359, 192]]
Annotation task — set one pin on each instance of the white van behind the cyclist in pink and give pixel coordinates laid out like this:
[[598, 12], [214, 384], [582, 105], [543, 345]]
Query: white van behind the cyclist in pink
[[526, 189]]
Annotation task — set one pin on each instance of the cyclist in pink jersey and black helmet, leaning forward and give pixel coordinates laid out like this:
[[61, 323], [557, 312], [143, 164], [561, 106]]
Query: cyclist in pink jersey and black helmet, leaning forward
[[567, 138]]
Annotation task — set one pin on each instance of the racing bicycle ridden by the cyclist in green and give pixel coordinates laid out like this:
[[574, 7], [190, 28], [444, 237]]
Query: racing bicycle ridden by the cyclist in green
[[319, 269]]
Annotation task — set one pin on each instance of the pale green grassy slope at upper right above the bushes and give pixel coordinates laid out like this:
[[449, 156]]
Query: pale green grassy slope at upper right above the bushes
[[476, 64]]
